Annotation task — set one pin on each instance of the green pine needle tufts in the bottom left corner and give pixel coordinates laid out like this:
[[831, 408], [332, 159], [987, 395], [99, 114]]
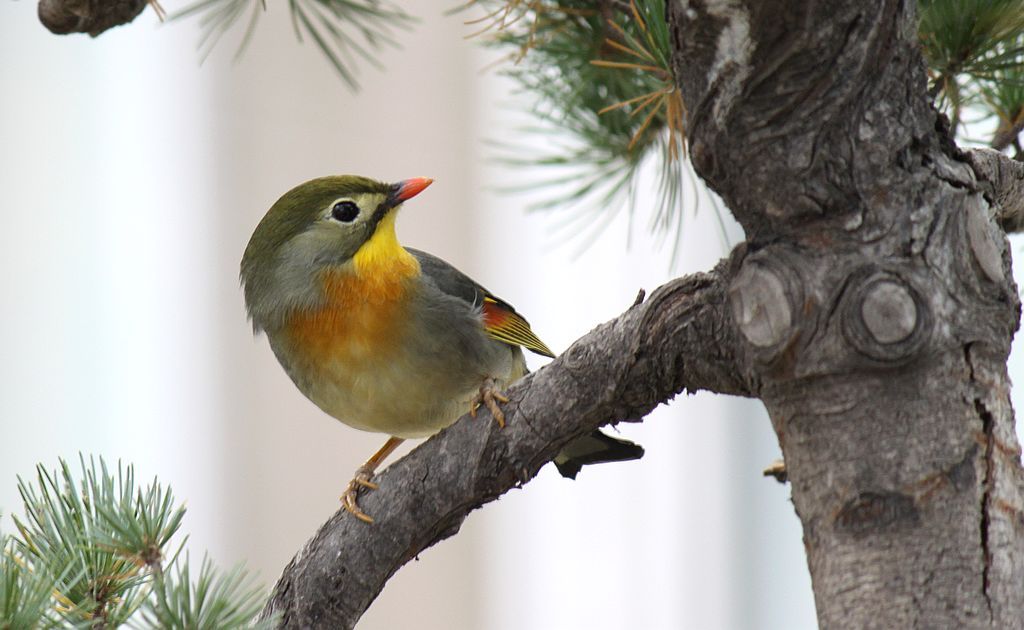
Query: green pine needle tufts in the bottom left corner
[[98, 551]]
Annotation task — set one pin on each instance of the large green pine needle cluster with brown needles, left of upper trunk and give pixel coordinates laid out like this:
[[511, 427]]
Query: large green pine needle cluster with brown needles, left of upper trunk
[[606, 78]]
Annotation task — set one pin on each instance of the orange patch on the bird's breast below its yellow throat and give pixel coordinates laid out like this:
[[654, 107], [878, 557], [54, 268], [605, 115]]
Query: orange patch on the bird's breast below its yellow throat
[[362, 318]]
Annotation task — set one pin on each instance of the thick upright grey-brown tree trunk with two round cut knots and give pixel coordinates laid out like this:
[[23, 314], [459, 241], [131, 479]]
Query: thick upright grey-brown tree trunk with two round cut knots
[[876, 306]]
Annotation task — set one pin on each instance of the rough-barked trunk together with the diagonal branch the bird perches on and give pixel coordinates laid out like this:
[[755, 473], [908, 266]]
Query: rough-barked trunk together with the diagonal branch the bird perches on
[[872, 310]]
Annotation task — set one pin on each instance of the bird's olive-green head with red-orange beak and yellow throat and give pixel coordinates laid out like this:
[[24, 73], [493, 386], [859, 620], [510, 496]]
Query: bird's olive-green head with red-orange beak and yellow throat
[[326, 223]]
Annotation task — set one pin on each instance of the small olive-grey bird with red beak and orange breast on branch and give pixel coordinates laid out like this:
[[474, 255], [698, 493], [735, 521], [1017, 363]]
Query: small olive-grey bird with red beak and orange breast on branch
[[379, 337]]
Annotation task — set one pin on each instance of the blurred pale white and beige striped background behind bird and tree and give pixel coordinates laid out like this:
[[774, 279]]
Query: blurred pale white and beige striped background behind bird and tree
[[133, 179]]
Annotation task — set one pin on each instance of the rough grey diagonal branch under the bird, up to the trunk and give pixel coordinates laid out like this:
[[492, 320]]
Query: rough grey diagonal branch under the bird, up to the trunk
[[681, 339]]
